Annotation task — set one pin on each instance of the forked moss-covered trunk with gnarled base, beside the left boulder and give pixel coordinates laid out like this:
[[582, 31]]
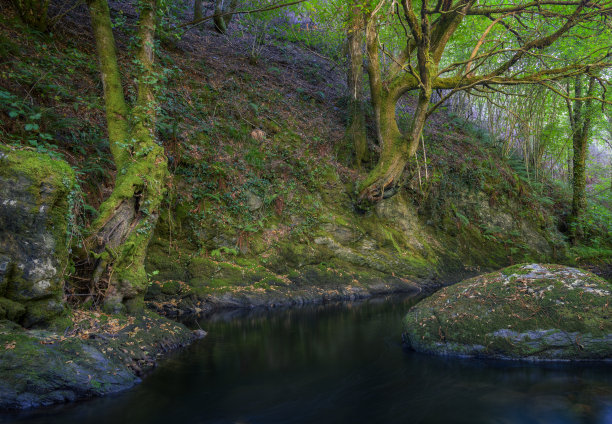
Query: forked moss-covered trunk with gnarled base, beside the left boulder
[[127, 218]]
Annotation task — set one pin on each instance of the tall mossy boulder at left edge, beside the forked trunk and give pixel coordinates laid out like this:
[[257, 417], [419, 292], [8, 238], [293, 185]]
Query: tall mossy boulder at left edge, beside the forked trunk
[[34, 233]]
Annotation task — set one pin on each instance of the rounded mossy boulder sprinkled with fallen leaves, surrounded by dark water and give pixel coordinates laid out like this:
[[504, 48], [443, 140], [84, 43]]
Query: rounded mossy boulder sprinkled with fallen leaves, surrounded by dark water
[[528, 312]]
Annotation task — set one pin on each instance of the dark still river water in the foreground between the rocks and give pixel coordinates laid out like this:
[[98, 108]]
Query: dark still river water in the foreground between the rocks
[[340, 363]]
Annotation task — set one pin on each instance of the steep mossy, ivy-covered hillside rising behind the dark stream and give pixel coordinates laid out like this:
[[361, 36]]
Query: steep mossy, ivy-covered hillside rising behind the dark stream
[[260, 206]]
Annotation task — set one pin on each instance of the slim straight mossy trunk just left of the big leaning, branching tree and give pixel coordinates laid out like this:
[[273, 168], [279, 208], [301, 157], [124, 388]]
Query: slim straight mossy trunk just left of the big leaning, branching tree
[[356, 129]]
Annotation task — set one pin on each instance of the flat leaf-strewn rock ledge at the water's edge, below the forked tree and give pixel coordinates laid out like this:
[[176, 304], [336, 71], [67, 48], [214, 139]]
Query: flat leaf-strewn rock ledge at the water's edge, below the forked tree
[[96, 354]]
